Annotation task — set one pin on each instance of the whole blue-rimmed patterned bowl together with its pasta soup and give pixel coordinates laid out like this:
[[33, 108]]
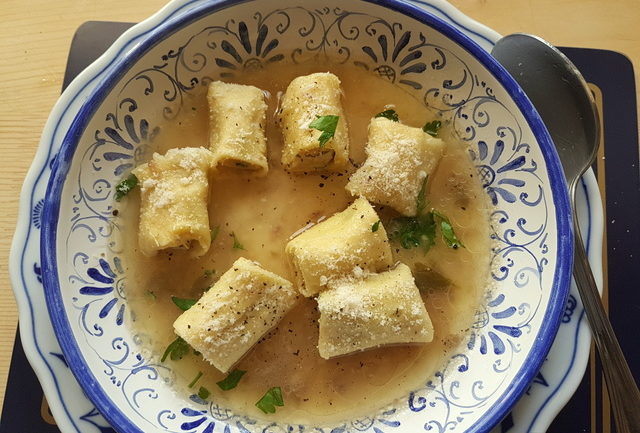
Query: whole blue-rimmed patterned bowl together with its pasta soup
[[294, 217]]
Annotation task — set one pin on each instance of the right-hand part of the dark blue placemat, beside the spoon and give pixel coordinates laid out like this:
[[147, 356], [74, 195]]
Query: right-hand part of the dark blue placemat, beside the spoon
[[612, 73]]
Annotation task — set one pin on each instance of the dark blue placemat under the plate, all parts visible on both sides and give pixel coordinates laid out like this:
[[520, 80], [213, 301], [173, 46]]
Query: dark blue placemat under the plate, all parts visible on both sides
[[25, 409]]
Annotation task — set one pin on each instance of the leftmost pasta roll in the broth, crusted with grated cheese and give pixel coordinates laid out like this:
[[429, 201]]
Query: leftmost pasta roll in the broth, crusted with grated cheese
[[174, 192]]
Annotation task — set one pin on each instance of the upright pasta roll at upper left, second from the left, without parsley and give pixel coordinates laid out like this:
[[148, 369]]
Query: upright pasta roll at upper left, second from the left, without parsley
[[237, 116]]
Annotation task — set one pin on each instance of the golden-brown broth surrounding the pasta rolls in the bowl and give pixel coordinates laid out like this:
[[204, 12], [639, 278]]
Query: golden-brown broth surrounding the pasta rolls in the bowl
[[263, 213]]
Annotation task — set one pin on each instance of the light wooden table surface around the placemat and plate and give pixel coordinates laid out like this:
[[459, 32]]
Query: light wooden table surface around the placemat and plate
[[35, 37]]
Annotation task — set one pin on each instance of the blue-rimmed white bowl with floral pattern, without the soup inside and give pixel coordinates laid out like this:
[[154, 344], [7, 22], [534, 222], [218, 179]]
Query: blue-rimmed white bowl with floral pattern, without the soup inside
[[204, 40]]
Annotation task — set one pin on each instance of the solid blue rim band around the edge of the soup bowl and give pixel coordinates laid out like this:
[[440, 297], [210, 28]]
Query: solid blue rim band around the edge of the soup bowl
[[120, 66]]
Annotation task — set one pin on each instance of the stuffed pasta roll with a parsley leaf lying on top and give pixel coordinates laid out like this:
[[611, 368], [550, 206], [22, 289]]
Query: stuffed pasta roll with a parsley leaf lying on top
[[307, 98]]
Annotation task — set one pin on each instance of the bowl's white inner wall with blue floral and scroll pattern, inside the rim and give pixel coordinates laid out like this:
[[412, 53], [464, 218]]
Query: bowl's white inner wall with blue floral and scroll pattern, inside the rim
[[444, 77]]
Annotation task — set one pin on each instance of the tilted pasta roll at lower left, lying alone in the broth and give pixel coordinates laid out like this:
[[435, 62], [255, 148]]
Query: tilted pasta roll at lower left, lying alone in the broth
[[243, 305]]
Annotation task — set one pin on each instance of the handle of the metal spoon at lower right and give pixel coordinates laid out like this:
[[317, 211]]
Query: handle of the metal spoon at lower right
[[623, 392]]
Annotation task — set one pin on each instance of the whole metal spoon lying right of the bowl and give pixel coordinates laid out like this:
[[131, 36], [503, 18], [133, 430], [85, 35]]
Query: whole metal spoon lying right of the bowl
[[566, 105]]
